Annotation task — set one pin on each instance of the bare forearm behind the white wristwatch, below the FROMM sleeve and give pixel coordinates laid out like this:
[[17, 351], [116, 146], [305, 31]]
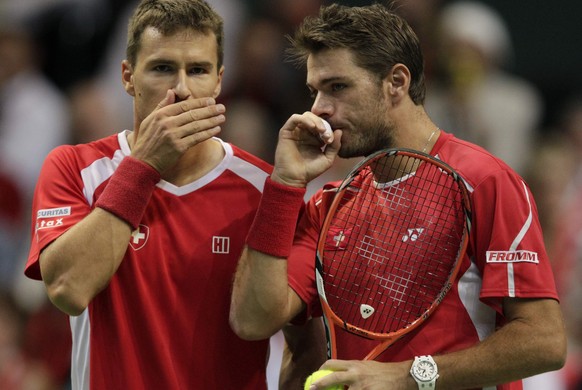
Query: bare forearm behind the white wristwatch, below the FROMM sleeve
[[526, 346]]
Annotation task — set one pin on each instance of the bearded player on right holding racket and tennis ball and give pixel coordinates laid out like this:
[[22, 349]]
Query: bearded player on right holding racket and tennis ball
[[498, 321]]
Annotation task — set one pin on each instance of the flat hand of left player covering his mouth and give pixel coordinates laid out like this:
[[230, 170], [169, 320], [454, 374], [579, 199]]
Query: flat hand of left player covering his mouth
[[174, 127]]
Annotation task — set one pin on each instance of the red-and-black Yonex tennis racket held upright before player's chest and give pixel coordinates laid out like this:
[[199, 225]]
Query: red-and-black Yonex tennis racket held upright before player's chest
[[391, 246]]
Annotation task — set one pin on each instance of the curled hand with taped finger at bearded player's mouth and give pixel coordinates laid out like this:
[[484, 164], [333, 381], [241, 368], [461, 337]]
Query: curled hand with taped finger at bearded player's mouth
[[304, 150]]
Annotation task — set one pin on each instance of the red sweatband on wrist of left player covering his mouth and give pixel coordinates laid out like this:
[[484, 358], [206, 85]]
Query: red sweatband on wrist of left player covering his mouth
[[129, 190]]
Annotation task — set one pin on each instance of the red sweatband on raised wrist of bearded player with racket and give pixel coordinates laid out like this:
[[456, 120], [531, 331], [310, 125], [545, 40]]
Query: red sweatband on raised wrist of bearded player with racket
[[274, 226]]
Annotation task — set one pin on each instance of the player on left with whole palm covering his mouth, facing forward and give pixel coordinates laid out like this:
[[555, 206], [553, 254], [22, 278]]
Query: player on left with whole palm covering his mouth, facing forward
[[137, 235]]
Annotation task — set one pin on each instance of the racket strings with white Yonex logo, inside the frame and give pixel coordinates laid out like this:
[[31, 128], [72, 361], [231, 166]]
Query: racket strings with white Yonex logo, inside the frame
[[400, 243]]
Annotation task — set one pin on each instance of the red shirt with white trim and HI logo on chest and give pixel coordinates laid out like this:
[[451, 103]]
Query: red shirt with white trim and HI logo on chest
[[162, 322]]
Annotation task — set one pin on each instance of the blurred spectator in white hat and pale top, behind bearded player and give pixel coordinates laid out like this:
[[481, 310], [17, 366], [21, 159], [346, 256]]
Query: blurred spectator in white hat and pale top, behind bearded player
[[476, 97]]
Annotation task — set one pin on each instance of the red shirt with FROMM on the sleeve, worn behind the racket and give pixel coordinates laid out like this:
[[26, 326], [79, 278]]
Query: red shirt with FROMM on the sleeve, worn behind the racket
[[506, 257]]
